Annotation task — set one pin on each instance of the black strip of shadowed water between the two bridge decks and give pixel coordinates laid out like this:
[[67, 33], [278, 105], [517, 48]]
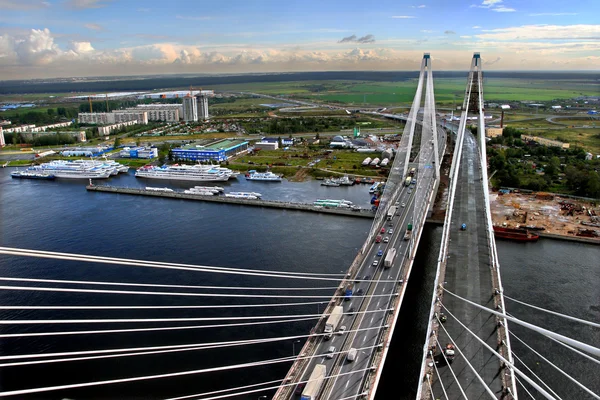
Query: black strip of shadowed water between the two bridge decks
[[400, 375]]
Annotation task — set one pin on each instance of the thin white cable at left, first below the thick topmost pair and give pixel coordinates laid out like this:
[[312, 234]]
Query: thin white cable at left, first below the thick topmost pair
[[163, 285]]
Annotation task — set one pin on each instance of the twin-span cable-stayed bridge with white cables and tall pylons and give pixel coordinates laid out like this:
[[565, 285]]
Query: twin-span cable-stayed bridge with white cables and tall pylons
[[468, 271]]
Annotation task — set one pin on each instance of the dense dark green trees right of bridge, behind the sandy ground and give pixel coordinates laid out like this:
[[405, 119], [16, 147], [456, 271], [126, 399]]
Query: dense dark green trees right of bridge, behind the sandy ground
[[518, 166]]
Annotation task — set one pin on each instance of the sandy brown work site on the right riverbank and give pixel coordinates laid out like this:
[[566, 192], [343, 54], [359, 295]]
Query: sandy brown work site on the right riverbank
[[548, 214]]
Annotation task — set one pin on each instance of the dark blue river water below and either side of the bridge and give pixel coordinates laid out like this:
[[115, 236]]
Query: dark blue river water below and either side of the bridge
[[63, 216]]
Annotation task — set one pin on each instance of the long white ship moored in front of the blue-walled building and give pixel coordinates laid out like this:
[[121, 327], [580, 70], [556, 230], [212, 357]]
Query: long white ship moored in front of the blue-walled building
[[198, 173]]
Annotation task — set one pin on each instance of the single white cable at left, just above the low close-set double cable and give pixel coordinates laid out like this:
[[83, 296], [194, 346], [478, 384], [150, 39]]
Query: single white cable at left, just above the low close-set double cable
[[168, 328]]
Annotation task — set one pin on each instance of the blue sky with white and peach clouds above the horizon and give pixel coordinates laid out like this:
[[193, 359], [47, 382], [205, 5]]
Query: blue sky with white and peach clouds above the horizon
[[76, 38]]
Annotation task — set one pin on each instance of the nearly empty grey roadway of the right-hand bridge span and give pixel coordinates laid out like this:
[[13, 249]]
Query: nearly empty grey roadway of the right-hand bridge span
[[468, 274]]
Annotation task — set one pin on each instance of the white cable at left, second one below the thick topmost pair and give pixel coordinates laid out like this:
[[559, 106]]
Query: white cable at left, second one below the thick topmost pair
[[139, 292]]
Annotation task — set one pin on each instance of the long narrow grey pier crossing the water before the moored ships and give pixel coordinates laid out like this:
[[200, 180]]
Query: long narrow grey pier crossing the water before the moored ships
[[363, 213]]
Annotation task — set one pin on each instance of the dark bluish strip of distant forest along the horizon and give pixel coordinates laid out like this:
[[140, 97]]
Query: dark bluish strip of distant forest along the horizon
[[150, 83]]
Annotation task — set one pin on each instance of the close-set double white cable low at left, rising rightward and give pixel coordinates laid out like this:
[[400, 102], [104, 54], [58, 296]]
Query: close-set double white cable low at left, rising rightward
[[151, 349]]
